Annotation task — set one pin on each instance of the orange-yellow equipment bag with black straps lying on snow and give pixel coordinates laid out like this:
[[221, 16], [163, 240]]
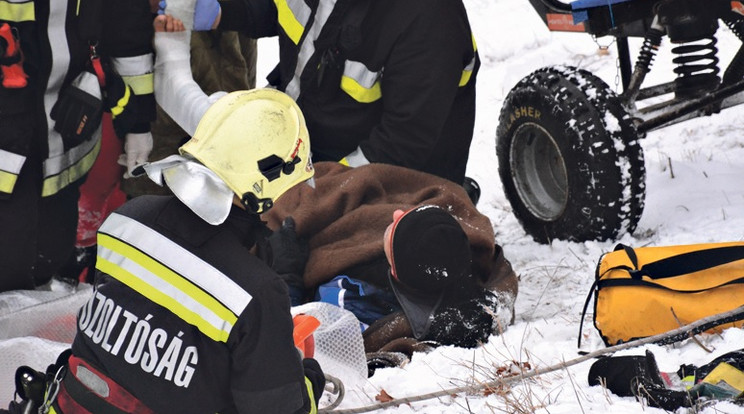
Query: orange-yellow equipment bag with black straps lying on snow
[[651, 290]]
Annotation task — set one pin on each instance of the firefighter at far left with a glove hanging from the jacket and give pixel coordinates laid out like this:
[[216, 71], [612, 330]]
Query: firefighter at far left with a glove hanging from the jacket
[[63, 63]]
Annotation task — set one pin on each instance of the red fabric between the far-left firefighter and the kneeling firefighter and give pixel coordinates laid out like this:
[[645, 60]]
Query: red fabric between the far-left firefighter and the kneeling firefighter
[[101, 193]]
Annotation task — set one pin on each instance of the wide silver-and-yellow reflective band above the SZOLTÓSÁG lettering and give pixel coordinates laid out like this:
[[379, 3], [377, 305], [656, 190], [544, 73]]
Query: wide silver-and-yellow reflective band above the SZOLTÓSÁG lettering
[[172, 277]]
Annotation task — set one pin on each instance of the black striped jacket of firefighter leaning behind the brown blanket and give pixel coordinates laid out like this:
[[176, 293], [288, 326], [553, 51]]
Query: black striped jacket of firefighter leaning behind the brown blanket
[[395, 79]]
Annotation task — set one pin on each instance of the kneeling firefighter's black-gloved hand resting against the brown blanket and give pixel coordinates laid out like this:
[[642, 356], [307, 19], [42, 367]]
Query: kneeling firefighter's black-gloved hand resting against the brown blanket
[[289, 254]]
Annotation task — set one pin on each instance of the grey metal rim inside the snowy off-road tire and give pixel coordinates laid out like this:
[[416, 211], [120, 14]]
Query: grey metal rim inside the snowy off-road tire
[[539, 172]]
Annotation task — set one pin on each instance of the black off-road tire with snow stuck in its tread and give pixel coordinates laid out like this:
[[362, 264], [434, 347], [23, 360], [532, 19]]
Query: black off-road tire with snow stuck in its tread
[[569, 157]]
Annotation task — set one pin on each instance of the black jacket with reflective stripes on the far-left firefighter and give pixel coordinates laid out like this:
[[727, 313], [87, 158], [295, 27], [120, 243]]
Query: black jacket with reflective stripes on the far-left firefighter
[[53, 55]]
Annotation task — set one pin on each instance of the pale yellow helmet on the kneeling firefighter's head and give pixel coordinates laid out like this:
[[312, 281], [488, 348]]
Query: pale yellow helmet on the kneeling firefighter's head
[[256, 141]]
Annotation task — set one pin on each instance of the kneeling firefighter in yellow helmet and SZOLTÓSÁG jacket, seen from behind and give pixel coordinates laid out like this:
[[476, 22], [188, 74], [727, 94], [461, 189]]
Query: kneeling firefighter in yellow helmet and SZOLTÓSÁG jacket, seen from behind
[[188, 315]]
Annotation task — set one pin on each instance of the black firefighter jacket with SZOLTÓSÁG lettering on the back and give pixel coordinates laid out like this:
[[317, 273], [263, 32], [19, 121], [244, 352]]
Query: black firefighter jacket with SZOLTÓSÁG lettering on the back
[[186, 318]]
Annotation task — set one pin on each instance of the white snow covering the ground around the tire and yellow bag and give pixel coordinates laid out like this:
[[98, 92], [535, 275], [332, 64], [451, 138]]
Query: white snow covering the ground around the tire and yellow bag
[[695, 194]]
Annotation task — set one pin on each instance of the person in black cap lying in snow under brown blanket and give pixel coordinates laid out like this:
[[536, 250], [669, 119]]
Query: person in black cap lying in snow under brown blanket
[[435, 274]]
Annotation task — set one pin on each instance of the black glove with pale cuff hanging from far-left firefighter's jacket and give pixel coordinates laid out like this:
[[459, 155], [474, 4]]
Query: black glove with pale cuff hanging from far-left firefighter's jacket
[[78, 111]]
